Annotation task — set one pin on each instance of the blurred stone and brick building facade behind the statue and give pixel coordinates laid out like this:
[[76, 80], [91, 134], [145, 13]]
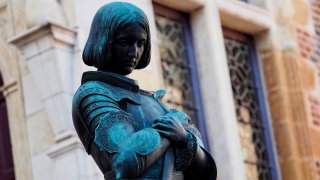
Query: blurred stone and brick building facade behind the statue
[[249, 69]]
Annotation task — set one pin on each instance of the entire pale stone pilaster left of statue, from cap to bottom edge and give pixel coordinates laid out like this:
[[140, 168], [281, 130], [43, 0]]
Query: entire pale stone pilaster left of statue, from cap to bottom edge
[[49, 55]]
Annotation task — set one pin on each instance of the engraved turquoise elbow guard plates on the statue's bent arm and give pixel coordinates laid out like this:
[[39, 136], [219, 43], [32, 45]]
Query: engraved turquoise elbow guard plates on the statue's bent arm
[[116, 133]]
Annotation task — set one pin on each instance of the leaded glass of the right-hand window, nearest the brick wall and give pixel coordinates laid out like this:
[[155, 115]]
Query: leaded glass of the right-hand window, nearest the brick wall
[[250, 126]]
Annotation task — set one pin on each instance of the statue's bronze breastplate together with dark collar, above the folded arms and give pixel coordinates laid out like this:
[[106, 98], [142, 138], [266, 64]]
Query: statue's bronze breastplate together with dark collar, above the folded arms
[[144, 106]]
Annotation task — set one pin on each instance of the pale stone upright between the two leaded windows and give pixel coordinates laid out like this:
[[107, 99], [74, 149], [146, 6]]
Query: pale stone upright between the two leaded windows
[[216, 91]]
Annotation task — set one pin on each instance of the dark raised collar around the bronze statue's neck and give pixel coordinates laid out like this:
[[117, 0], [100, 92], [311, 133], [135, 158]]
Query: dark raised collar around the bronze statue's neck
[[112, 79]]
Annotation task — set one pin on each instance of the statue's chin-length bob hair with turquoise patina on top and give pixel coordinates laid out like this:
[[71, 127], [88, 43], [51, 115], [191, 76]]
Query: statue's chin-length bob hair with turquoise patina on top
[[105, 24]]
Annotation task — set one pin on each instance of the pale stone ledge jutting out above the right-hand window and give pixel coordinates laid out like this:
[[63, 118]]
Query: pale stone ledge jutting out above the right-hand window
[[244, 17]]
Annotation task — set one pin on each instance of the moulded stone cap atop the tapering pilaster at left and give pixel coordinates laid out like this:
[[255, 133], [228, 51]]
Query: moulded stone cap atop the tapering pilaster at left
[[59, 33]]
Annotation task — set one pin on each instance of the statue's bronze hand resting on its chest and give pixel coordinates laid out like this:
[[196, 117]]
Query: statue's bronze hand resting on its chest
[[171, 126]]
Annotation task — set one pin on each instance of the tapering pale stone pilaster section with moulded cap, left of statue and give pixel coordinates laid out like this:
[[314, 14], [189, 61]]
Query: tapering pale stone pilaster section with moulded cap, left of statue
[[48, 50]]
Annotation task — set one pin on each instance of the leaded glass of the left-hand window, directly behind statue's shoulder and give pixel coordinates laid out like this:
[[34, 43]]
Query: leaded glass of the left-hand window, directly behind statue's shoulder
[[175, 65]]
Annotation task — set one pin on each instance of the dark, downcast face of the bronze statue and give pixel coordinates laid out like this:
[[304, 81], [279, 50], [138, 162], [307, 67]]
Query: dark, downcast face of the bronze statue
[[127, 49]]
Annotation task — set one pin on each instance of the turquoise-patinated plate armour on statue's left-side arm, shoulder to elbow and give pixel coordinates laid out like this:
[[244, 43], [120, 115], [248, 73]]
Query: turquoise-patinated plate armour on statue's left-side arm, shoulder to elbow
[[113, 130]]
